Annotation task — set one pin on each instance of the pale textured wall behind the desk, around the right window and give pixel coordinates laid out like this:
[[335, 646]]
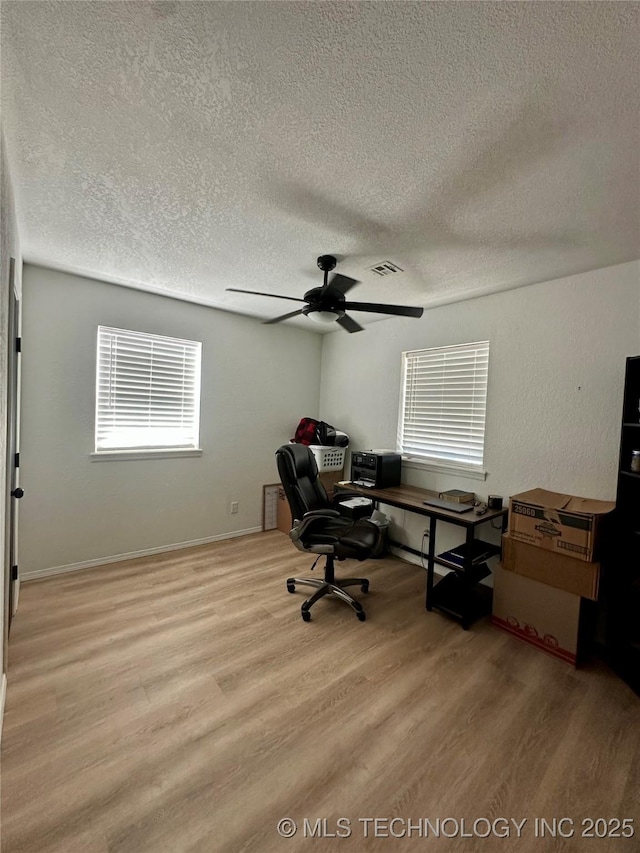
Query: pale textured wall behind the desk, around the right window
[[556, 375]]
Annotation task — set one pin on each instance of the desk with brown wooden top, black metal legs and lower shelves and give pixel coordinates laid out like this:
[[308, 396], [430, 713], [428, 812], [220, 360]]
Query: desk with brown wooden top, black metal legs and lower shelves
[[455, 594]]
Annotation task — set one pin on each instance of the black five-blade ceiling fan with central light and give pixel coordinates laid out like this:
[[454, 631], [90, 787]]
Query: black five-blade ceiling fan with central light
[[327, 304]]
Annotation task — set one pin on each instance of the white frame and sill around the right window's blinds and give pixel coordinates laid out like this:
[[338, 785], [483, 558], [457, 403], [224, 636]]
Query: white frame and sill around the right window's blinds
[[433, 463]]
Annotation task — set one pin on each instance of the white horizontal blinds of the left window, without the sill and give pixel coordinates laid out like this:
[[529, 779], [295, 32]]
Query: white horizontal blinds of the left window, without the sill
[[148, 391]]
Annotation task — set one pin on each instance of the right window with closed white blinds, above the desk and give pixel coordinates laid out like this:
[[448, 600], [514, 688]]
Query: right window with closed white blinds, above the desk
[[443, 406]]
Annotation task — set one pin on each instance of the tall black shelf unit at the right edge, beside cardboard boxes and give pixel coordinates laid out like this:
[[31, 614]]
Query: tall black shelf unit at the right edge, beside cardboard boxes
[[623, 571]]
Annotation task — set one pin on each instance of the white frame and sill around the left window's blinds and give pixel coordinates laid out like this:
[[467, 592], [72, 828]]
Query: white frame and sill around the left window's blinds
[[167, 451]]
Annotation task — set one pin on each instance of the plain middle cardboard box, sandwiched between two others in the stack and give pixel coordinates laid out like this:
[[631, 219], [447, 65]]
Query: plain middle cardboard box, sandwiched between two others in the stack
[[550, 567]]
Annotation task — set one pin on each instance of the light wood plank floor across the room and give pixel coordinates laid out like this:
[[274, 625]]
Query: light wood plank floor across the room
[[179, 703]]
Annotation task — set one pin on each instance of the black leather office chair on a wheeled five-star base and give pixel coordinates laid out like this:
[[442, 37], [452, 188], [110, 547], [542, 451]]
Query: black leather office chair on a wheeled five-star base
[[318, 528]]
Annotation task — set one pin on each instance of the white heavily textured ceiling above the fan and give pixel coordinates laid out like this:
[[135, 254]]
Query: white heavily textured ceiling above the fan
[[186, 147]]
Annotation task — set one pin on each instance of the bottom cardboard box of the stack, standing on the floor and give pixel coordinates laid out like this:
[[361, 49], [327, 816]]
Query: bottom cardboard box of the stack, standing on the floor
[[552, 620]]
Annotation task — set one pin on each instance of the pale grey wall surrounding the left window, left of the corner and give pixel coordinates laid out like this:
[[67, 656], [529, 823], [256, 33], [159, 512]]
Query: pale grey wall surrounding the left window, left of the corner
[[257, 382]]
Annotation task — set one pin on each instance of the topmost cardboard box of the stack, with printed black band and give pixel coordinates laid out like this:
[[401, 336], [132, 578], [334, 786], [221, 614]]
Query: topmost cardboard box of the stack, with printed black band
[[557, 522]]
